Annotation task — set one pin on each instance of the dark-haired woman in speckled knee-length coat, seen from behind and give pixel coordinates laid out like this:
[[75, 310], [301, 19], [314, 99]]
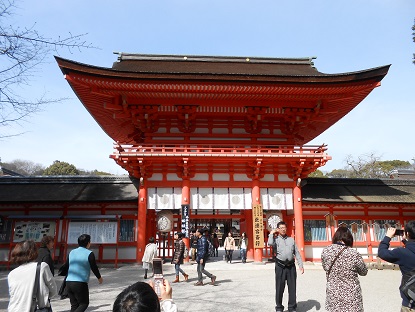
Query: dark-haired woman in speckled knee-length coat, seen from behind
[[343, 265]]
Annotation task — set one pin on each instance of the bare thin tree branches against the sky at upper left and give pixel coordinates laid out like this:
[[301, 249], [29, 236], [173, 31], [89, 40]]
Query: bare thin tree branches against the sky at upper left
[[22, 50]]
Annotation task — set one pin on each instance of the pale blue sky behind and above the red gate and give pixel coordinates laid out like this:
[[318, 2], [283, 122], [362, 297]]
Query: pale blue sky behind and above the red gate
[[345, 36]]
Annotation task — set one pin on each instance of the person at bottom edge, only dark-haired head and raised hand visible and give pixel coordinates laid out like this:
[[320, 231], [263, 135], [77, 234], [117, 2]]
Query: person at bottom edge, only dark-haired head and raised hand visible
[[141, 297]]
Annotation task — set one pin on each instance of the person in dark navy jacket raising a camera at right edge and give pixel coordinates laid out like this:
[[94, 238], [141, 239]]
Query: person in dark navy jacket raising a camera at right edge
[[402, 256]]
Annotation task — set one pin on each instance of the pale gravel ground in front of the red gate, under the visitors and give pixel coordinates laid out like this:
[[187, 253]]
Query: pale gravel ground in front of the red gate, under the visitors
[[240, 287]]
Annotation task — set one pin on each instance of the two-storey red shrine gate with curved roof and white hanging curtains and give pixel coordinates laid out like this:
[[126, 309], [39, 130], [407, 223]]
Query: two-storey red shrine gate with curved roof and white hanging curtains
[[217, 135]]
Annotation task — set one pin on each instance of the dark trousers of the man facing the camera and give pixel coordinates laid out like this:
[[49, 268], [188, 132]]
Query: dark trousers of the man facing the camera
[[282, 275]]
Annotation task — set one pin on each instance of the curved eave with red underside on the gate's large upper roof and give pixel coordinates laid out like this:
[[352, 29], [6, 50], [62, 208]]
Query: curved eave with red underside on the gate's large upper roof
[[327, 97]]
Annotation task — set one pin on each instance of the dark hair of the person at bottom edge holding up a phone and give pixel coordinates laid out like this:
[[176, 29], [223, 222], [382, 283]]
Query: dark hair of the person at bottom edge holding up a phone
[[139, 297]]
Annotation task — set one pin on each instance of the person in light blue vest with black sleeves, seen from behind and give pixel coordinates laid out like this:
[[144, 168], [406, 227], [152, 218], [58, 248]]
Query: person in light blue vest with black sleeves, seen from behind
[[80, 262]]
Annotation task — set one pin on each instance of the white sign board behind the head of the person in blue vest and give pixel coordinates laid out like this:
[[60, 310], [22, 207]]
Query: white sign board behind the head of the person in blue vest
[[101, 232]]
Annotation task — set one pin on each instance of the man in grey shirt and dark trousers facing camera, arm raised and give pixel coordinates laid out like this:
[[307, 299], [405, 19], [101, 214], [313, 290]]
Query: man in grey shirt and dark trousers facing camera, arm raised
[[285, 271]]
